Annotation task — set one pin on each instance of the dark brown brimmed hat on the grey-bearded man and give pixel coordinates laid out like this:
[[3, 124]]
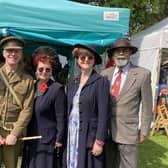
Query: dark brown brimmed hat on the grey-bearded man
[[121, 43]]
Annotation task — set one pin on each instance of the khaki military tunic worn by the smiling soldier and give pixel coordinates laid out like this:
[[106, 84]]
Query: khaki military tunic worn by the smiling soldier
[[14, 118]]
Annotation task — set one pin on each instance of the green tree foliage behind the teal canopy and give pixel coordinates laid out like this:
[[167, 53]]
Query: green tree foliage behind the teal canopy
[[144, 13]]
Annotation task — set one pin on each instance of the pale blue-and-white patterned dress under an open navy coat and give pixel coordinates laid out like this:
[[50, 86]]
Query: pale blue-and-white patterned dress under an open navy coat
[[73, 132]]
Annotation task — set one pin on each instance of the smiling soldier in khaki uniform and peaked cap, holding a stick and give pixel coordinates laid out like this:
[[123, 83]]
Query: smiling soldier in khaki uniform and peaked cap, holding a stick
[[15, 108]]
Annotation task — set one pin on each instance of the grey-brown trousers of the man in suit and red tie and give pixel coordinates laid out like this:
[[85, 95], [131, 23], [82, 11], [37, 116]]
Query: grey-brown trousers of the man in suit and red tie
[[121, 155]]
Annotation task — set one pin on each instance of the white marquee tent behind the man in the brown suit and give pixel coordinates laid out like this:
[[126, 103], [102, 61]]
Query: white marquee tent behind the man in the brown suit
[[153, 50]]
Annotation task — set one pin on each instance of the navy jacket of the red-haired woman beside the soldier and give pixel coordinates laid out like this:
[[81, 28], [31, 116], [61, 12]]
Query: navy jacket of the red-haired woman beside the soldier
[[49, 116]]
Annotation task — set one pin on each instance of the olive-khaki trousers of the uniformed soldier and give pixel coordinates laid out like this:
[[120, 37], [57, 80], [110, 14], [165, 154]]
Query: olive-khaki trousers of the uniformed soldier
[[9, 154]]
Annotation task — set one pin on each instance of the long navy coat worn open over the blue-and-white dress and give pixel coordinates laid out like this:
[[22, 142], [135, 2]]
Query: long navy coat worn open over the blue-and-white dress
[[93, 108]]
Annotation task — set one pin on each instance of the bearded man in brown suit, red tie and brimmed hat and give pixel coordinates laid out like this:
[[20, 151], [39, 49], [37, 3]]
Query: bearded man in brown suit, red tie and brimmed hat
[[135, 89]]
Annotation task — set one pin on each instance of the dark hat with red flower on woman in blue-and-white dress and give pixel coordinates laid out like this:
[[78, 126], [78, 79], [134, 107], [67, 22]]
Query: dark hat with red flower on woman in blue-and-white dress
[[92, 49]]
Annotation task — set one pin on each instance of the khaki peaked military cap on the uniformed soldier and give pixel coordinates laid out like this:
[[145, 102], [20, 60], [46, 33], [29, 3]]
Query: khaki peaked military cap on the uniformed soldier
[[12, 42]]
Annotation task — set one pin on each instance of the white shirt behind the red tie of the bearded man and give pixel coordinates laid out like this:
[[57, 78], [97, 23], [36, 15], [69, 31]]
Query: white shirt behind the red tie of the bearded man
[[123, 75]]
